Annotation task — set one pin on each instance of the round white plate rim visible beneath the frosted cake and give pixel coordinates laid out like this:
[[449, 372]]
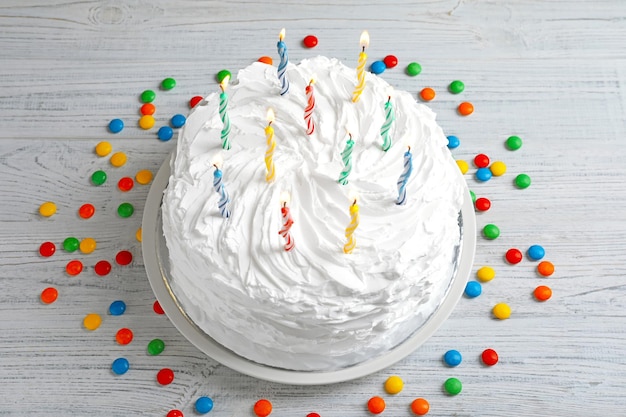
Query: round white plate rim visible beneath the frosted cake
[[156, 260]]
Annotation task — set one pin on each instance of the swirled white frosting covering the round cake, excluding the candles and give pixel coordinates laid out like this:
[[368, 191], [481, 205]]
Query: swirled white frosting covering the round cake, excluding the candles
[[314, 308]]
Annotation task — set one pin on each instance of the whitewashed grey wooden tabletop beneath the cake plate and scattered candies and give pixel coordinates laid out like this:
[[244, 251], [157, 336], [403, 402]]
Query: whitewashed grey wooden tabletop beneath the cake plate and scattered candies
[[552, 72]]
